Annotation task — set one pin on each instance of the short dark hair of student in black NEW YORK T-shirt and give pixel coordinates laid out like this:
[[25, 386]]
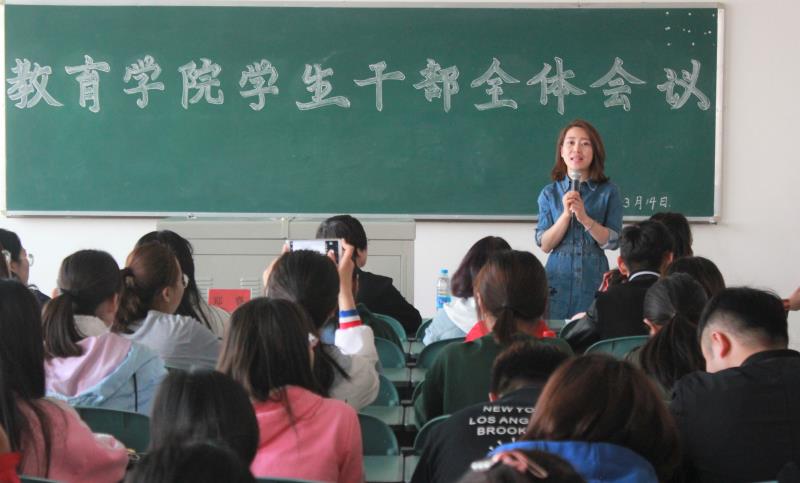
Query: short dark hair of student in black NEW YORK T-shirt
[[524, 362]]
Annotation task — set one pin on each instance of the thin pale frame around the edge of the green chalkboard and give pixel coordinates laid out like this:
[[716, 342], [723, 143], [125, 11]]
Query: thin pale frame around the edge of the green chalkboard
[[718, 108]]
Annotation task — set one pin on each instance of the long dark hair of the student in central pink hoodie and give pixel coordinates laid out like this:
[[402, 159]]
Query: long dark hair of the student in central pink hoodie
[[267, 349]]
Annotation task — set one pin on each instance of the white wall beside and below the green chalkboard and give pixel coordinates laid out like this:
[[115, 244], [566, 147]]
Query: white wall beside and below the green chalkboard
[[756, 242]]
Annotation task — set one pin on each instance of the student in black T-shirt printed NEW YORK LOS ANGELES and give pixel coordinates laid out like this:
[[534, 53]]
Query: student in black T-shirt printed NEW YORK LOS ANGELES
[[518, 375]]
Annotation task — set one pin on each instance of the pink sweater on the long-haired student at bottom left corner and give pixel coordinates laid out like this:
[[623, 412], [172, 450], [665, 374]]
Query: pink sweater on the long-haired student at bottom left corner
[[76, 454]]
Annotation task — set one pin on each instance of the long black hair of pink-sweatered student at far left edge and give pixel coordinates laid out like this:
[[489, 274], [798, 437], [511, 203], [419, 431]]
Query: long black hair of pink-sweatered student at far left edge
[[22, 375]]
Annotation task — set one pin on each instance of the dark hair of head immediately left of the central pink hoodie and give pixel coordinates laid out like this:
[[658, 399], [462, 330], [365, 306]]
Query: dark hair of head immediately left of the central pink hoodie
[[204, 406]]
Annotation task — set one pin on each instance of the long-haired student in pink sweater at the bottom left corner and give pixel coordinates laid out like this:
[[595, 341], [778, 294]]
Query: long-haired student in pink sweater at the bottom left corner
[[53, 440]]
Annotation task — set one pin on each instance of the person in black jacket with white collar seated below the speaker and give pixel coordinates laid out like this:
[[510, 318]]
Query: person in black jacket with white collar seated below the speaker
[[645, 251]]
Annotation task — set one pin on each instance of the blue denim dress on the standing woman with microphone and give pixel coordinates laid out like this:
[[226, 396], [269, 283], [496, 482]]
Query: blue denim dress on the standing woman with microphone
[[576, 266]]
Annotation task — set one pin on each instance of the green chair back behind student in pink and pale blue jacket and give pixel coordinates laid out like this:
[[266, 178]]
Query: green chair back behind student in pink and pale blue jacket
[[131, 429]]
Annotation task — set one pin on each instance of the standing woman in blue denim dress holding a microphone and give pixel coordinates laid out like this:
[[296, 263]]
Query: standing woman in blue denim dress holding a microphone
[[580, 215]]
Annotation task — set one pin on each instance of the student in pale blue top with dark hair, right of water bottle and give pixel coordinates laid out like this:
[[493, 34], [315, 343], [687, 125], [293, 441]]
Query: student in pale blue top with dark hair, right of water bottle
[[460, 315]]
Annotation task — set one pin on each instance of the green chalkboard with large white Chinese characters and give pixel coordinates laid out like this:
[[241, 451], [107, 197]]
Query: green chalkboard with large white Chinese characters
[[78, 143]]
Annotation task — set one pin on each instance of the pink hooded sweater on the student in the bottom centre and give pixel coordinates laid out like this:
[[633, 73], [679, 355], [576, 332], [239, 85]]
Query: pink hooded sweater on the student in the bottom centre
[[323, 444]]
